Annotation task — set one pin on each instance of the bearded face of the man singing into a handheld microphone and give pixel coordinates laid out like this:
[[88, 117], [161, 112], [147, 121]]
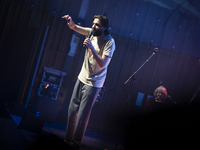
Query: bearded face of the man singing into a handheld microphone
[[97, 27]]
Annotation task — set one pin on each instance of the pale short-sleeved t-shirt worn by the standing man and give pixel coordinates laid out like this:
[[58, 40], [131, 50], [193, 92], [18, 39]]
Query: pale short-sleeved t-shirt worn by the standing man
[[91, 73]]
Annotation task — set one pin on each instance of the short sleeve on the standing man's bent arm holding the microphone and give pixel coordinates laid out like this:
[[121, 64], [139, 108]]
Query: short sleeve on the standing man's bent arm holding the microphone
[[109, 48]]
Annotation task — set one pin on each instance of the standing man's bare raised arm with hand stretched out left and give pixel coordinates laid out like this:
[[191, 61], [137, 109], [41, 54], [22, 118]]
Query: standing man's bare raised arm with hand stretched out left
[[74, 26]]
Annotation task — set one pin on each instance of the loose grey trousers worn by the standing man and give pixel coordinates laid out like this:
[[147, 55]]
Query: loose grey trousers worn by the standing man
[[82, 101]]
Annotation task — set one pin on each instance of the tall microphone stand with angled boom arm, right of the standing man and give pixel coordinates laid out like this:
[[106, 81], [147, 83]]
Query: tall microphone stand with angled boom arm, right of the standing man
[[130, 93]]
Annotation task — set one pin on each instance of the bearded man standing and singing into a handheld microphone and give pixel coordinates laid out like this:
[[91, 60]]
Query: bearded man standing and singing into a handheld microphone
[[99, 50]]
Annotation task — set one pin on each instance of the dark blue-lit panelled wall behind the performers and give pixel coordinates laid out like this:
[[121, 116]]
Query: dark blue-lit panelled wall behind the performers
[[138, 26]]
